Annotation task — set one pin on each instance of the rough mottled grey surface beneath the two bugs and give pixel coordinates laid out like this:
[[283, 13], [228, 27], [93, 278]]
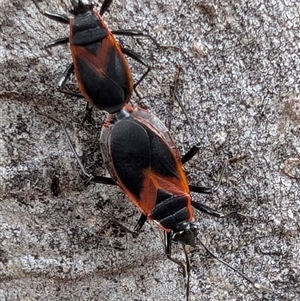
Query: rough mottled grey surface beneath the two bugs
[[240, 83]]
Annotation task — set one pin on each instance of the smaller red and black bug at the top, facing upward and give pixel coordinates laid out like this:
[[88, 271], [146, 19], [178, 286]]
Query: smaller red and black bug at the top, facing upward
[[101, 69]]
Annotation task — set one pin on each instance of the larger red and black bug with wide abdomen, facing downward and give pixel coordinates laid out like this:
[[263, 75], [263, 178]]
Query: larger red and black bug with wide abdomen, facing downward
[[145, 163]]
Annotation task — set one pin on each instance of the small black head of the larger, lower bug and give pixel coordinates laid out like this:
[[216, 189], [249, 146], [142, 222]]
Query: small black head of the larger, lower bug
[[186, 233]]
